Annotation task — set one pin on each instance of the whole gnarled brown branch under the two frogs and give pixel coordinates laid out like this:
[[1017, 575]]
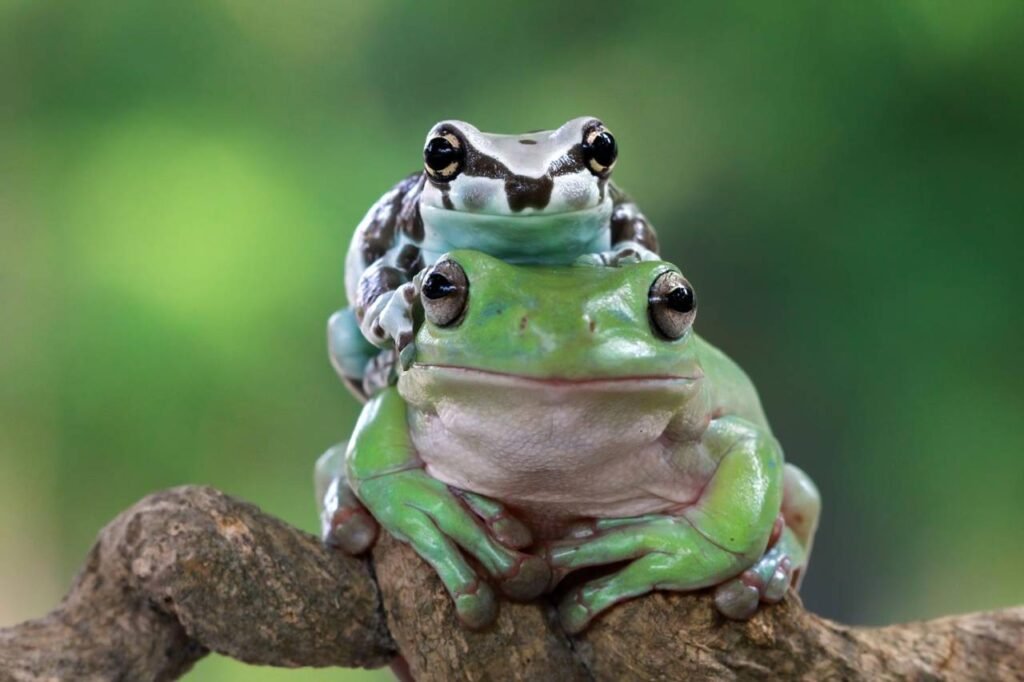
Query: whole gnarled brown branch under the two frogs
[[192, 571]]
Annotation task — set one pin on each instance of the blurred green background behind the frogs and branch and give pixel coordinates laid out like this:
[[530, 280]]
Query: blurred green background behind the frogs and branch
[[842, 182]]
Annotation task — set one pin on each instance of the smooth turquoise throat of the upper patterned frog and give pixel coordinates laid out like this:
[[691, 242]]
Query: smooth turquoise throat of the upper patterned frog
[[557, 239]]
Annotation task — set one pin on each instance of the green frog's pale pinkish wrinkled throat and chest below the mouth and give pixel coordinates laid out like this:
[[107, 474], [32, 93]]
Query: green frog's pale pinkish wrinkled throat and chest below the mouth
[[559, 451]]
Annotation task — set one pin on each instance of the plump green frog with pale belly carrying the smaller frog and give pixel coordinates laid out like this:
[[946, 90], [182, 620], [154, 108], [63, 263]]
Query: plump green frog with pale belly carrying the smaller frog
[[563, 418]]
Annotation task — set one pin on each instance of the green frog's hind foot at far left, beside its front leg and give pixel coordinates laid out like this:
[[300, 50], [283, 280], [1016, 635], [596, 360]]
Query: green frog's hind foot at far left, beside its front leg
[[346, 524]]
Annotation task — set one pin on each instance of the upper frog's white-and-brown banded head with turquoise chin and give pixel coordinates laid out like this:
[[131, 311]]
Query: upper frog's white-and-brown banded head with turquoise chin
[[537, 187]]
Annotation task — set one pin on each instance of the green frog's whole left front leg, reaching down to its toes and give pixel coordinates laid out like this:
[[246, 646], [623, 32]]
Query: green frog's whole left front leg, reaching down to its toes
[[389, 478]]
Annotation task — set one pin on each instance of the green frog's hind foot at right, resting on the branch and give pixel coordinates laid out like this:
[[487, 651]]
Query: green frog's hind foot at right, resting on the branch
[[786, 562]]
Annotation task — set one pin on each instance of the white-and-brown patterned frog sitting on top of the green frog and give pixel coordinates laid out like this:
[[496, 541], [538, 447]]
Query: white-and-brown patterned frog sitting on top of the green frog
[[541, 198]]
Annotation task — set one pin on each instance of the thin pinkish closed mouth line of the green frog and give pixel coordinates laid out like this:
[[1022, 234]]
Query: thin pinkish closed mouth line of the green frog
[[477, 375]]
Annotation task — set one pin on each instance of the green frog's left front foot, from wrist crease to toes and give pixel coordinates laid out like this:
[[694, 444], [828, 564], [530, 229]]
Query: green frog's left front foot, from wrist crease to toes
[[441, 526]]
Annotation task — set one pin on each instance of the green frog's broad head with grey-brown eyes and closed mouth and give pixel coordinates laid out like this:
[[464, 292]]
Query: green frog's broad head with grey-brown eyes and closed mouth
[[560, 330]]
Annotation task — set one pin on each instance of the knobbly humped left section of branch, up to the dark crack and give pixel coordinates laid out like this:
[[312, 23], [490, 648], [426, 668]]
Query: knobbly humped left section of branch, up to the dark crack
[[191, 571]]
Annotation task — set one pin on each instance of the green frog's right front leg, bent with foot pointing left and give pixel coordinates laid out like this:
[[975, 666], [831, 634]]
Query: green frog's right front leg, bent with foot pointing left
[[716, 538]]
